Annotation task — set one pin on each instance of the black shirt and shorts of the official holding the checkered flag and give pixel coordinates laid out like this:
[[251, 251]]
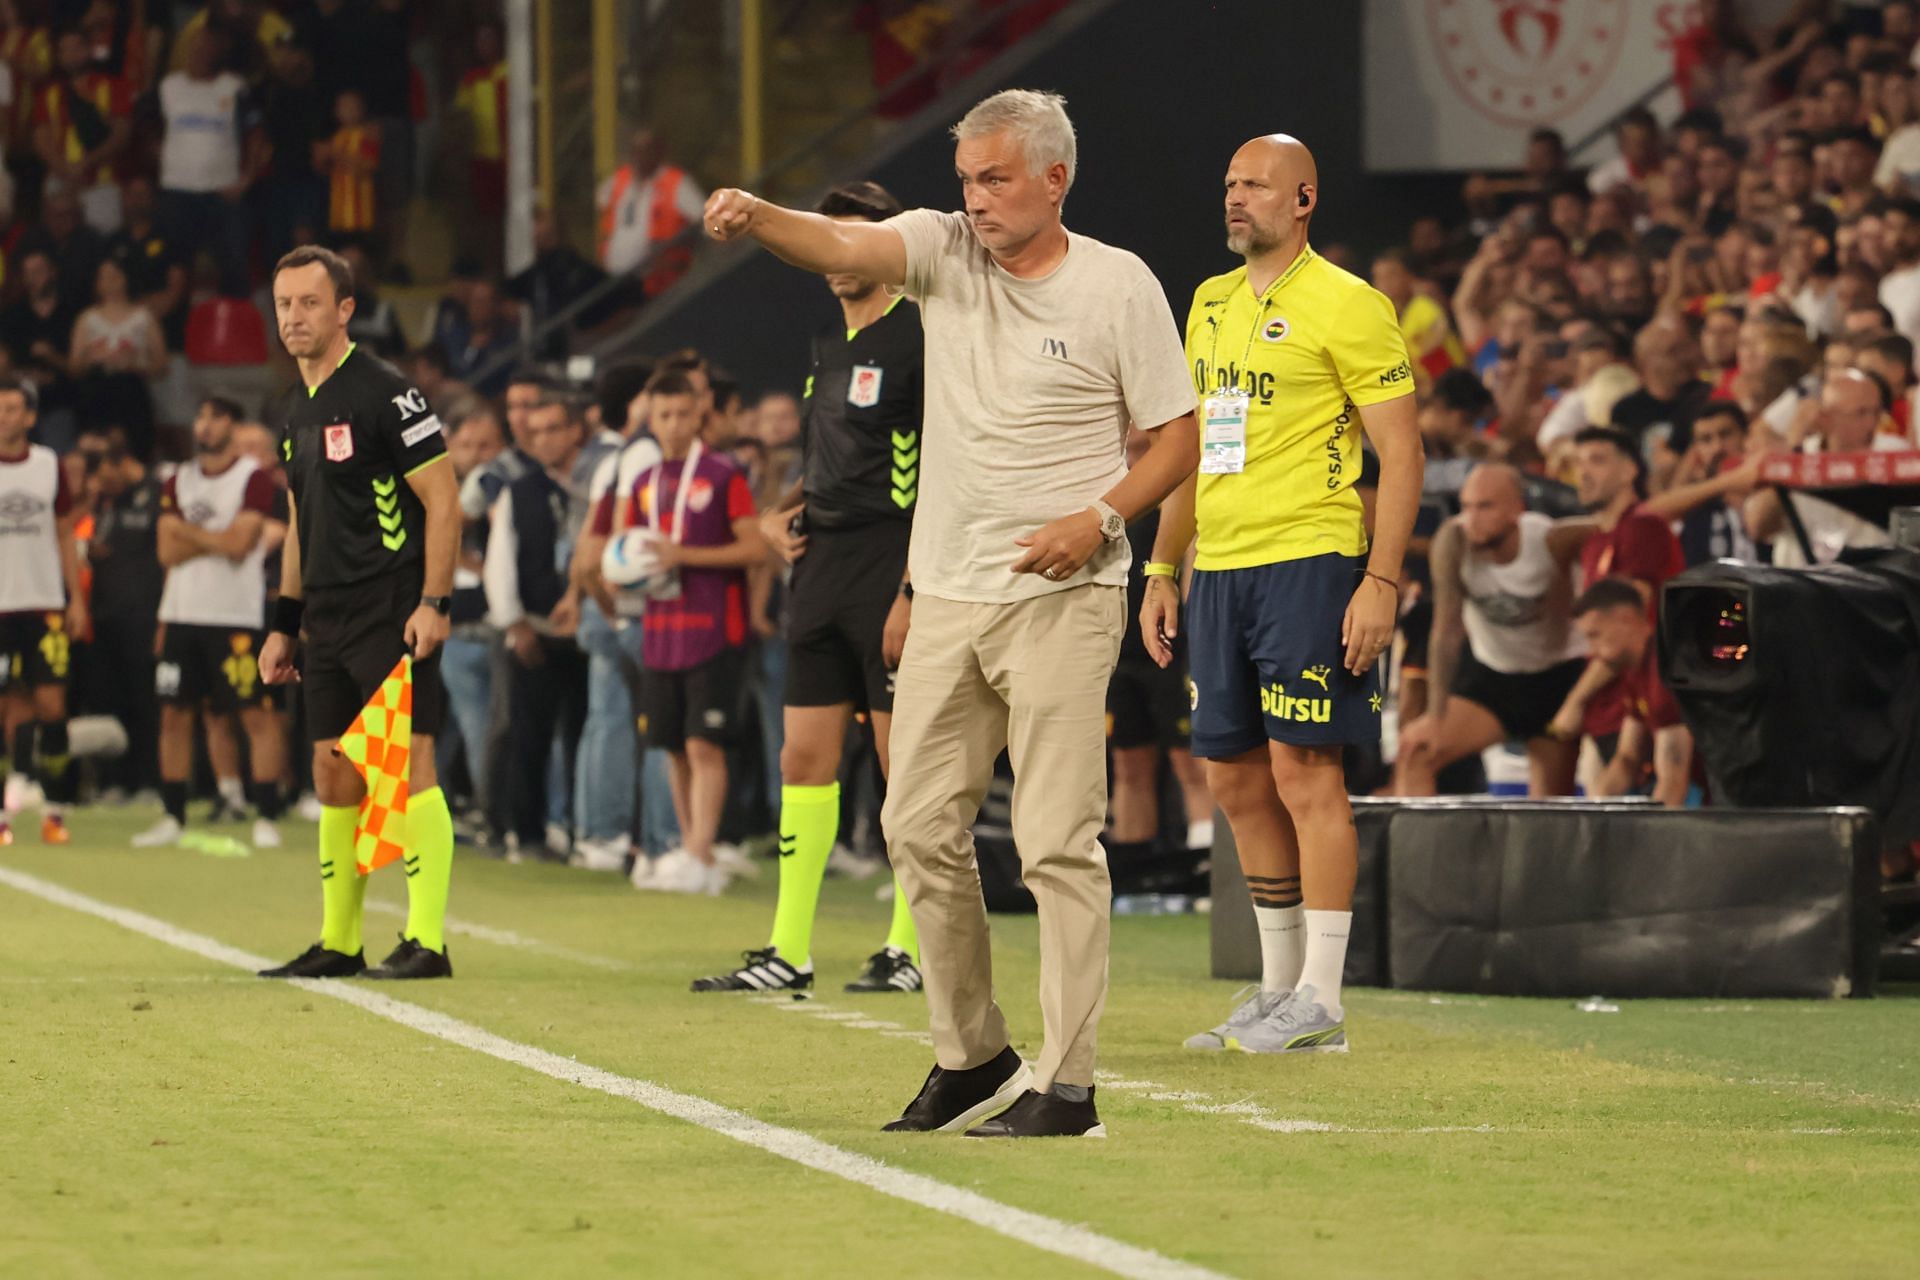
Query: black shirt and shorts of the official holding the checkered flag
[[350, 446]]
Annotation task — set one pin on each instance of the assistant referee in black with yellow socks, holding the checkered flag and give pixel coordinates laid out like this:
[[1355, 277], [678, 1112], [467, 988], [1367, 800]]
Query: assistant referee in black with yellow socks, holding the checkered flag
[[368, 573]]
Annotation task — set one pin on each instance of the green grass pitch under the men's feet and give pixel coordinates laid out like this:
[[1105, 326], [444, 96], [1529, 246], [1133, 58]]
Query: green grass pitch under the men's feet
[[166, 1116]]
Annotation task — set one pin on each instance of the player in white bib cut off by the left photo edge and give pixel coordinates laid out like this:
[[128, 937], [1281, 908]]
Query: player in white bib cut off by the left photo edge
[[41, 613]]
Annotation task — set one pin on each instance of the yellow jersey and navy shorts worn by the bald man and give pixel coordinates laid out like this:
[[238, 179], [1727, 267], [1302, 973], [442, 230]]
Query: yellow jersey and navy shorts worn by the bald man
[[1282, 542]]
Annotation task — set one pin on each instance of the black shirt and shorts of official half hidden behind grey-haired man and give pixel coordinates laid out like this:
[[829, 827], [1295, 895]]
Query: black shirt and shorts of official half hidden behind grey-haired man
[[861, 442]]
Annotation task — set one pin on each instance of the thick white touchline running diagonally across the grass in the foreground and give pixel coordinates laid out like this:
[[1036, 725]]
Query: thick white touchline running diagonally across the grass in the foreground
[[915, 1189]]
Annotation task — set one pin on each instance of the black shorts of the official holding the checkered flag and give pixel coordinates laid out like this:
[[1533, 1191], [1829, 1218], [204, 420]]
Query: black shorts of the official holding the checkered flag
[[354, 638]]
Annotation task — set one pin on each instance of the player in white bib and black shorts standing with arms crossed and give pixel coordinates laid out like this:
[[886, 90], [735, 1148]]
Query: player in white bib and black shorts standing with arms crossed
[[212, 542]]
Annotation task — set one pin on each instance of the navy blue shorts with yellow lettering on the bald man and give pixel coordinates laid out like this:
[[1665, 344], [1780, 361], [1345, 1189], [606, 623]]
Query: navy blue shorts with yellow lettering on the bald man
[[1266, 657]]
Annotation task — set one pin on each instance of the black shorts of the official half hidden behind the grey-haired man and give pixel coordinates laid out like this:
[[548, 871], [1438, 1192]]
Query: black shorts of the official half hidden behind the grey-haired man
[[838, 613]]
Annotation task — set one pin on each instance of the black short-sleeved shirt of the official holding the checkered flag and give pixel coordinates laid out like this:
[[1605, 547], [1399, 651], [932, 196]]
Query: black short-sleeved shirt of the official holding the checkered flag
[[350, 446]]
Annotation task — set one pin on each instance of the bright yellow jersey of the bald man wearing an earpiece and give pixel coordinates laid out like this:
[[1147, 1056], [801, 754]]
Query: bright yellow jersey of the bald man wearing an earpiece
[[1320, 344]]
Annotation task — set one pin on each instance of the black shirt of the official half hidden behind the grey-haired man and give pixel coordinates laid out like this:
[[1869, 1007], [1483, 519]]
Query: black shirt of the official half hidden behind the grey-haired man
[[861, 429]]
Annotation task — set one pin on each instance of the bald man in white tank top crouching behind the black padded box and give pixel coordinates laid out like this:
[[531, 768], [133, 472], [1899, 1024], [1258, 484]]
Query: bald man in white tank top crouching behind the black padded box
[[1504, 652]]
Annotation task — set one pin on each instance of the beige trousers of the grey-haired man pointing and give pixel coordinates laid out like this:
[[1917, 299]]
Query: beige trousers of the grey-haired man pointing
[[1028, 678]]
